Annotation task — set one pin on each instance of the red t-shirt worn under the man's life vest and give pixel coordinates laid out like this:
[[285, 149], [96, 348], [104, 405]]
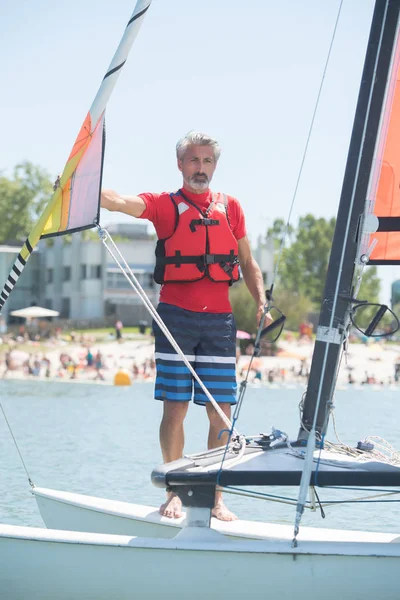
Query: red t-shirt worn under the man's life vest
[[204, 295]]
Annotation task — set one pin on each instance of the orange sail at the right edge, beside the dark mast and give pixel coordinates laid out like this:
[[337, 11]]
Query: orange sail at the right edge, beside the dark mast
[[384, 192]]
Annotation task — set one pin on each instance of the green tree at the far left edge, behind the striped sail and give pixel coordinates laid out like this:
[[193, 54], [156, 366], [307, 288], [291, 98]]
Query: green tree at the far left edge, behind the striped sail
[[22, 200]]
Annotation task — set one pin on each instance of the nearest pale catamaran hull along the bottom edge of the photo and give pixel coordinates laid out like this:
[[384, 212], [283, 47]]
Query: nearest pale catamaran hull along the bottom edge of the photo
[[47, 564]]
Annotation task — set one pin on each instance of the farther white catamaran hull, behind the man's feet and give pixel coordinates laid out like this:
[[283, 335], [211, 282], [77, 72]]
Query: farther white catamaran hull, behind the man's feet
[[78, 512]]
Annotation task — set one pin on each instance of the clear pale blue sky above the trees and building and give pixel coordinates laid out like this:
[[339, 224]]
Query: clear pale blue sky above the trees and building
[[245, 72]]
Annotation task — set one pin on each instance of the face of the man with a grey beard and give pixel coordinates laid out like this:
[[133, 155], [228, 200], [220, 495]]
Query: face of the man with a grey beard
[[197, 167]]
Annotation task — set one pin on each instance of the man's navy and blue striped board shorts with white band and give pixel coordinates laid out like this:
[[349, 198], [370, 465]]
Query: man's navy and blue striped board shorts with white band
[[208, 341]]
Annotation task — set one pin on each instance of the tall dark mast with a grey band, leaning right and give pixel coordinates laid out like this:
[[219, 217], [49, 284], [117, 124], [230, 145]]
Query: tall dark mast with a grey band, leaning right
[[339, 280]]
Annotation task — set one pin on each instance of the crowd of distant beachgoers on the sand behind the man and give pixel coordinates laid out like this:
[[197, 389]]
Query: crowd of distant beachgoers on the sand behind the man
[[93, 364]]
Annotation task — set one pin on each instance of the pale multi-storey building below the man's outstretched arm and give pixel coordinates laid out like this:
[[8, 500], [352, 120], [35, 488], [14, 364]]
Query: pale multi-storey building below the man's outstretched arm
[[84, 283]]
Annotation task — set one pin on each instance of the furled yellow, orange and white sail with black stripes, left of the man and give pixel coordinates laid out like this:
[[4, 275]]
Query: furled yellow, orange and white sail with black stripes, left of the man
[[75, 203]]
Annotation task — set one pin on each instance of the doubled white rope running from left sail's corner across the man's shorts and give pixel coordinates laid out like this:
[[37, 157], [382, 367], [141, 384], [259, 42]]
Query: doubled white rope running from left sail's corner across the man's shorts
[[134, 283]]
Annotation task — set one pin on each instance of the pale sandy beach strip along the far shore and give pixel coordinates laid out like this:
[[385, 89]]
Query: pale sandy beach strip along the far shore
[[373, 363]]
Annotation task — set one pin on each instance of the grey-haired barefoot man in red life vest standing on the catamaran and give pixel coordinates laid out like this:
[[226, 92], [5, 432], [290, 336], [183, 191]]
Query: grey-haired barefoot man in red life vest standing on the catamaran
[[201, 240]]
